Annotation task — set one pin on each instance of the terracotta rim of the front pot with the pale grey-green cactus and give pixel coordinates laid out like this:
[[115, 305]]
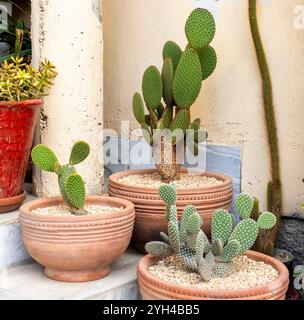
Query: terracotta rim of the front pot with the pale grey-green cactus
[[154, 283]]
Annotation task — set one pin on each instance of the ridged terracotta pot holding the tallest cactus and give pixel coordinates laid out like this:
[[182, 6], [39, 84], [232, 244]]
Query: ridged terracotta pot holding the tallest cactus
[[150, 209]]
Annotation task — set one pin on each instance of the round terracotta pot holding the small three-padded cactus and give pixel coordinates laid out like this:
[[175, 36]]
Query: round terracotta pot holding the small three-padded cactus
[[77, 248]]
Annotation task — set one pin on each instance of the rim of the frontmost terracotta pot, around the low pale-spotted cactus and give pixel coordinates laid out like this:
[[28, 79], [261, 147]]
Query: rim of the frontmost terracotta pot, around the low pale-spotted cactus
[[283, 278]]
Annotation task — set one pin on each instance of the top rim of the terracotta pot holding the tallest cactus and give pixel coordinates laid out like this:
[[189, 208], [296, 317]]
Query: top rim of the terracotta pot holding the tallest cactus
[[114, 180]]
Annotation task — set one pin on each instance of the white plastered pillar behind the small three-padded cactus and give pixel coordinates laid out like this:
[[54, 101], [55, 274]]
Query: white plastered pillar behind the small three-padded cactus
[[69, 33]]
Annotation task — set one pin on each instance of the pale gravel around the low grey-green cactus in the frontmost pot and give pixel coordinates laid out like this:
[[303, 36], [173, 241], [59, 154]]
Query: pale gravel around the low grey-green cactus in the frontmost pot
[[247, 274]]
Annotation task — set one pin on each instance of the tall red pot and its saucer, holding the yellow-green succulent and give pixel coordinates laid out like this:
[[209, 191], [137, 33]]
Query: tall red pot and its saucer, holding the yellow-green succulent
[[17, 126]]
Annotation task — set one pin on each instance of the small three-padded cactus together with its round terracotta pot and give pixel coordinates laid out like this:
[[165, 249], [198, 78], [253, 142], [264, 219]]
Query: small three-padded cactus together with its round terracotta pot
[[74, 237]]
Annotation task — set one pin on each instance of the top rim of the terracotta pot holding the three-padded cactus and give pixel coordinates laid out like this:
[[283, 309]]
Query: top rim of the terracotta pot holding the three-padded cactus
[[128, 207]]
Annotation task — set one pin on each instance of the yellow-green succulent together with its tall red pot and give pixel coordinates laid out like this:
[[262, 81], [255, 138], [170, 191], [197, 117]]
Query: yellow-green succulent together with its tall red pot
[[21, 90]]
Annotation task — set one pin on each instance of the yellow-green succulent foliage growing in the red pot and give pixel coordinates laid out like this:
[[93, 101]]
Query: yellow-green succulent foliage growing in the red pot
[[20, 81]]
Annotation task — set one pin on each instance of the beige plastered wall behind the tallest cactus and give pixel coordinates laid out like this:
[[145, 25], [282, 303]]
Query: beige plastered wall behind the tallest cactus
[[230, 104]]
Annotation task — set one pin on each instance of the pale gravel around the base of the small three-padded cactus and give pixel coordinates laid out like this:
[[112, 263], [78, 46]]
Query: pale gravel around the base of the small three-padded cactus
[[62, 210]]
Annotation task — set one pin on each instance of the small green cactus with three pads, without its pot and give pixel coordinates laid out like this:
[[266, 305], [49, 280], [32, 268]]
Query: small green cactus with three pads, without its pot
[[71, 184]]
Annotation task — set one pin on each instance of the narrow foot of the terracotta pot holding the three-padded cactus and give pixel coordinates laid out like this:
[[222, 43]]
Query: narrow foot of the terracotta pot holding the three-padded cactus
[[77, 276]]
